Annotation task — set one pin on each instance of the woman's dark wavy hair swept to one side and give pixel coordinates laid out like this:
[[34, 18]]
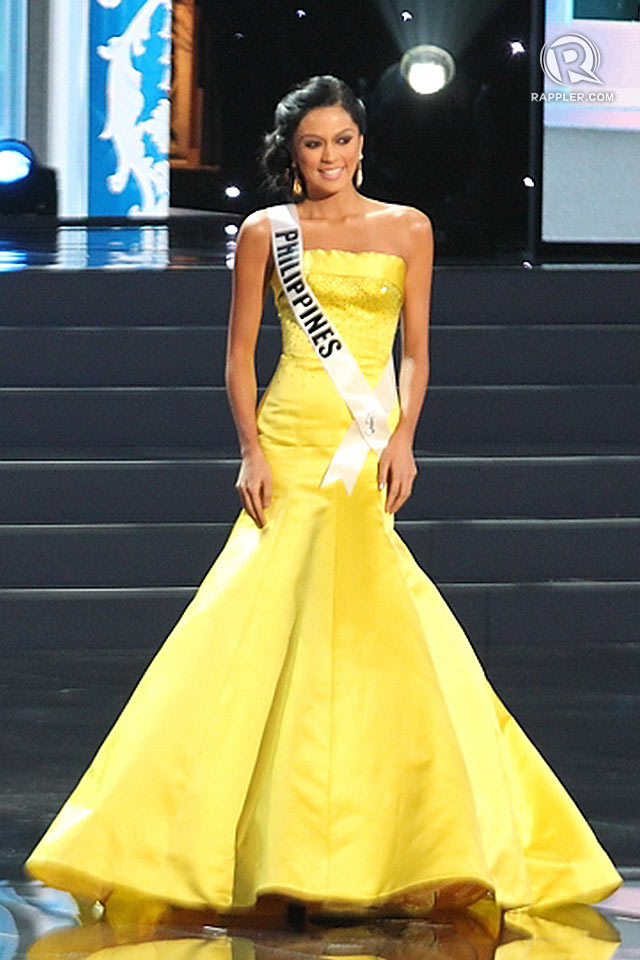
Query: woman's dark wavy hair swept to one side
[[276, 152]]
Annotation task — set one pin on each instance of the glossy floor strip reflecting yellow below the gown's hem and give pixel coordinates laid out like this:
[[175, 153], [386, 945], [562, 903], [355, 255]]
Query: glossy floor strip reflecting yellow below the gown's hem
[[40, 923]]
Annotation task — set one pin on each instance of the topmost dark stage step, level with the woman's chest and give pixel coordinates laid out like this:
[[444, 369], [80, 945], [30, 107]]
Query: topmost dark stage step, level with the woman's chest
[[464, 294]]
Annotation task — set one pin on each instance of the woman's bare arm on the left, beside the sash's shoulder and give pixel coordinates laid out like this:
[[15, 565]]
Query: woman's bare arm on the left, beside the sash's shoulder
[[250, 279]]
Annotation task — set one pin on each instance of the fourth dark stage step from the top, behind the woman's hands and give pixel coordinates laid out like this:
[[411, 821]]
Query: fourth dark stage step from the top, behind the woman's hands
[[202, 489]]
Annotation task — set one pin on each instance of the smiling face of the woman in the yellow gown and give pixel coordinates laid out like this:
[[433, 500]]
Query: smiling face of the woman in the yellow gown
[[327, 146]]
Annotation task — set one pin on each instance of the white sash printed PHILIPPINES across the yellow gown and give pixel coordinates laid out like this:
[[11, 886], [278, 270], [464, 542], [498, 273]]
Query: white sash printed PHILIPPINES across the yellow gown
[[370, 407]]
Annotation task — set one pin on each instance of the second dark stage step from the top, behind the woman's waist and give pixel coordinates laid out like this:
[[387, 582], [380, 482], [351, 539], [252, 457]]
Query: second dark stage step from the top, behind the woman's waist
[[193, 355]]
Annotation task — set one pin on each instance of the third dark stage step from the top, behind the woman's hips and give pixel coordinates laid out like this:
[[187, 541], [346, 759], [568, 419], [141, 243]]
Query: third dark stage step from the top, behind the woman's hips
[[195, 416]]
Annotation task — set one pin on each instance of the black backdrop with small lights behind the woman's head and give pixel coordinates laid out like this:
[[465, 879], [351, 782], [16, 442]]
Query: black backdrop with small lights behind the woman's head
[[459, 155]]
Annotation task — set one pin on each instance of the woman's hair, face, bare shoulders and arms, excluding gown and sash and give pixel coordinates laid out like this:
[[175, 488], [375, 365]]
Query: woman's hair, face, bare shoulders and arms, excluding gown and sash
[[328, 143]]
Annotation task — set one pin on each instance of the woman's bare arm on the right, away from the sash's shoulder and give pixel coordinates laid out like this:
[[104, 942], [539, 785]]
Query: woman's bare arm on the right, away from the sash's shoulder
[[396, 466]]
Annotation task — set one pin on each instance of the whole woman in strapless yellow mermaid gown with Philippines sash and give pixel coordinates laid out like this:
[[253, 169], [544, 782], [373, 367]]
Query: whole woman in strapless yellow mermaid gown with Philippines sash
[[316, 730]]
